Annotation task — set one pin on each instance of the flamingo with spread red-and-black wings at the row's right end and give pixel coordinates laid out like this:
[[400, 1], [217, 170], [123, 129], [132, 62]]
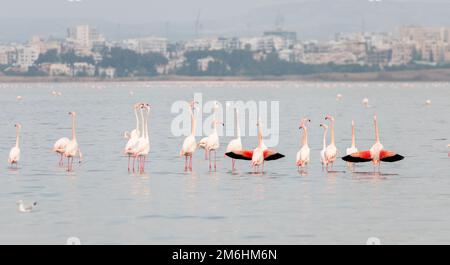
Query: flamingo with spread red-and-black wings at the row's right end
[[376, 153]]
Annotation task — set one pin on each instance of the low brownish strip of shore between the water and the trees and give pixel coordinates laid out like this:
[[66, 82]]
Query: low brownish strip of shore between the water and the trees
[[432, 75]]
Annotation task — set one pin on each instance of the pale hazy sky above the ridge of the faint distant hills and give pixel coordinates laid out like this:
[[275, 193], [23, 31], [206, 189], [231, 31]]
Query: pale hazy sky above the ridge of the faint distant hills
[[130, 10]]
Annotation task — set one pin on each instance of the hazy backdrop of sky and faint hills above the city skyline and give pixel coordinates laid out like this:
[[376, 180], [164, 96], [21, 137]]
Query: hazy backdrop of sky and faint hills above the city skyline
[[175, 19]]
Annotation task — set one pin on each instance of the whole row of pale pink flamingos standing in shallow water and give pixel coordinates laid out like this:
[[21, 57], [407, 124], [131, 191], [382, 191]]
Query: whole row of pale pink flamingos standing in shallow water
[[138, 145]]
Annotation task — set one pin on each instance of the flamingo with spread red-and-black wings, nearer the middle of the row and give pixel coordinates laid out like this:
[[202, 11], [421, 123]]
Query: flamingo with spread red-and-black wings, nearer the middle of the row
[[258, 155]]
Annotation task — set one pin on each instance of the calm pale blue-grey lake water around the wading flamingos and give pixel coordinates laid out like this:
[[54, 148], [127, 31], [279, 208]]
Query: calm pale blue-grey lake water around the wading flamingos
[[409, 203]]
